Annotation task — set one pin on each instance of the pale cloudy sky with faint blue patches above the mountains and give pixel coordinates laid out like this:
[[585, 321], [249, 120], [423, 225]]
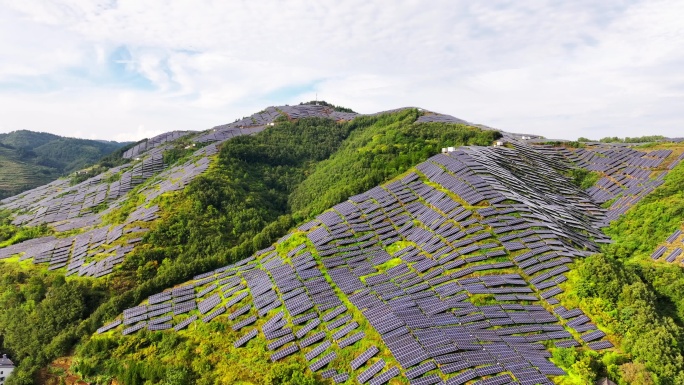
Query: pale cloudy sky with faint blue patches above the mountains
[[129, 69]]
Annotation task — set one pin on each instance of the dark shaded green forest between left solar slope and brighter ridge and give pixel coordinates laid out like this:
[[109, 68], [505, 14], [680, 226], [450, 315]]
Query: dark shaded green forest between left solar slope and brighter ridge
[[248, 188]]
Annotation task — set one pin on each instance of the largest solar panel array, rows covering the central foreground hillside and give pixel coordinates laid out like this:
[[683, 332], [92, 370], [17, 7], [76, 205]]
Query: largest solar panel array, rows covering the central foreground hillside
[[497, 222]]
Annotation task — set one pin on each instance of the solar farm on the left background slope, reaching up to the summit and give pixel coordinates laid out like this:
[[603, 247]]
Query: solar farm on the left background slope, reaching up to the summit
[[64, 207]]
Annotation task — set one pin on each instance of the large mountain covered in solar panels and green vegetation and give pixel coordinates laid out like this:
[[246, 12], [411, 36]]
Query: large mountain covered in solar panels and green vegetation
[[312, 245]]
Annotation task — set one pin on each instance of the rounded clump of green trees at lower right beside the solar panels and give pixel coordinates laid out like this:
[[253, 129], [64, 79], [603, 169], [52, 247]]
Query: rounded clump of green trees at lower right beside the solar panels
[[617, 296]]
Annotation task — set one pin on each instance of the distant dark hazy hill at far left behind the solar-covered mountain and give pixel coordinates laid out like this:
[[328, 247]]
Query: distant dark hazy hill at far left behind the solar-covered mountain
[[30, 159]]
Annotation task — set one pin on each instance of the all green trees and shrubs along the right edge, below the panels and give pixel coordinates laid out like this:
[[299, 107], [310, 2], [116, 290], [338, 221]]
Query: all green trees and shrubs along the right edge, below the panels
[[638, 302]]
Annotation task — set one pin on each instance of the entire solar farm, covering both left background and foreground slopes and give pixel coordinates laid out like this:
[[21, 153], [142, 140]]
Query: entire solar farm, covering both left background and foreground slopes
[[453, 269]]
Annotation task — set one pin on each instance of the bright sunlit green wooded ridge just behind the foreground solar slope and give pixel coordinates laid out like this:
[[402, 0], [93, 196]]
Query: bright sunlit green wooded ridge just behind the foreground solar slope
[[387, 146]]
